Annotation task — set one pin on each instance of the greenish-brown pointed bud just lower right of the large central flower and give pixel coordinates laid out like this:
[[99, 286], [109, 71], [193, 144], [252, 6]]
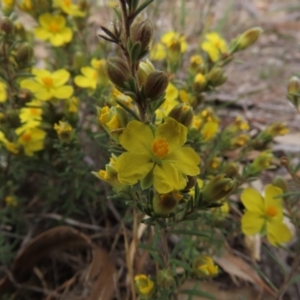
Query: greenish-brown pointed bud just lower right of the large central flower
[[219, 187]]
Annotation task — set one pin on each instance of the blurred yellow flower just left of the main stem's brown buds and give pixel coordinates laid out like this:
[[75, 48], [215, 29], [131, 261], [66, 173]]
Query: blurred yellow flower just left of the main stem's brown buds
[[92, 76]]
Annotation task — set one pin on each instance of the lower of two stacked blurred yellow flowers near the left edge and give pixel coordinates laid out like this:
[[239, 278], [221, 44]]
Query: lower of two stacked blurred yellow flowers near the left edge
[[31, 139]]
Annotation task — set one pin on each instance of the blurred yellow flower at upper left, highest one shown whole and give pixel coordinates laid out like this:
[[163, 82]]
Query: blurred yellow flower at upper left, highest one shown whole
[[53, 28]]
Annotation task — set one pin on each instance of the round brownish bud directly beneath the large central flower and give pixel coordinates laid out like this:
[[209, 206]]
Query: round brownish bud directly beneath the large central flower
[[164, 204]]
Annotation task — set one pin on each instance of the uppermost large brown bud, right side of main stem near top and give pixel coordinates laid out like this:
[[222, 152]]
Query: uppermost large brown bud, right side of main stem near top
[[142, 32]]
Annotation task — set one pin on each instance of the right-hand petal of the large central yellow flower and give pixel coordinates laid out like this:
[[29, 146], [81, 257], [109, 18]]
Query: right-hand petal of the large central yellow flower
[[186, 161]]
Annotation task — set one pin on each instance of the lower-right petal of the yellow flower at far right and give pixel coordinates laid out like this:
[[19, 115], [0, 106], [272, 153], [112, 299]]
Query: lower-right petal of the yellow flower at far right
[[278, 233]]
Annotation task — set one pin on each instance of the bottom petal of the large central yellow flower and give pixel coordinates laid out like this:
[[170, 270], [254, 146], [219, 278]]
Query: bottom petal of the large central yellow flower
[[166, 178]]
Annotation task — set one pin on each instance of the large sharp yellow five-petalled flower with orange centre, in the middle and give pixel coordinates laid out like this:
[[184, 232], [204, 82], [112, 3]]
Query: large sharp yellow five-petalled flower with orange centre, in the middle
[[160, 155]]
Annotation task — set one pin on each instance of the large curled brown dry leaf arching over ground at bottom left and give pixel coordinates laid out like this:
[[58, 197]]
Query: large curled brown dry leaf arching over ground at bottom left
[[99, 278]]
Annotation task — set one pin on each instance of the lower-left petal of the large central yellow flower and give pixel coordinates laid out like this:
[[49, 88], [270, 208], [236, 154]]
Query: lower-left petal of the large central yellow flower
[[132, 167]]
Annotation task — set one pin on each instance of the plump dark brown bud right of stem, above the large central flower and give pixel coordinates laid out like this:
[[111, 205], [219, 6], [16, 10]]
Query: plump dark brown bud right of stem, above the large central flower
[[155, 85]]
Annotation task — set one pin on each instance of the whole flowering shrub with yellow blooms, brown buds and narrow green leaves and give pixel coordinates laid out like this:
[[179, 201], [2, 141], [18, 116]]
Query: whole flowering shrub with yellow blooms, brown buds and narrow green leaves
[[165, 148]]
